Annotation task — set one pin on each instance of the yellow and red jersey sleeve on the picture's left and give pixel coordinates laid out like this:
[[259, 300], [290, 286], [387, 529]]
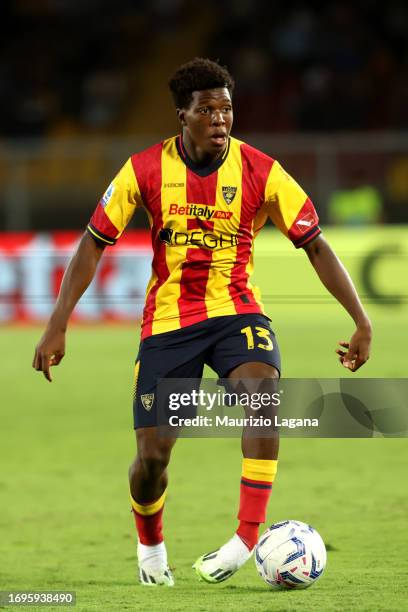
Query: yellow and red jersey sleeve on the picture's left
[[116, 207]]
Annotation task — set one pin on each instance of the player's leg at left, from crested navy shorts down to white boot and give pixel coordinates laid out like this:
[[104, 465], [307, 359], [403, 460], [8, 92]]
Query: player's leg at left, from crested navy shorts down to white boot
[[174, 355]]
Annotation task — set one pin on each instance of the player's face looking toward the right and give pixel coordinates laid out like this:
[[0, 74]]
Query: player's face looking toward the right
[[207, 122]]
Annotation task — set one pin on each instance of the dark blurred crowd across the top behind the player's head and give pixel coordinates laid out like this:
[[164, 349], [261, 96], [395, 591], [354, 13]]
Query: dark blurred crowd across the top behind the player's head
[[304, 66]]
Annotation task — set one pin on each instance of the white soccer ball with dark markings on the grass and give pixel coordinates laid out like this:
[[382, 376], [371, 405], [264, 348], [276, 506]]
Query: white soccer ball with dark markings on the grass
[[290, 555]]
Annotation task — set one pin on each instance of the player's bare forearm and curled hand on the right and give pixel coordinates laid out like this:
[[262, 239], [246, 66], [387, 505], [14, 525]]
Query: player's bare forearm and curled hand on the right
[[336, 279]]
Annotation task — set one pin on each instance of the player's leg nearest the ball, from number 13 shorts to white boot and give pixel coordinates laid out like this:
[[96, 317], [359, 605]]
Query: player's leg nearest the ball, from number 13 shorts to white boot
[[260, 450]]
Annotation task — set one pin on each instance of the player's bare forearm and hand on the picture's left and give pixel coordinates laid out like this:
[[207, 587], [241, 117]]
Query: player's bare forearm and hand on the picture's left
[[51, 348]]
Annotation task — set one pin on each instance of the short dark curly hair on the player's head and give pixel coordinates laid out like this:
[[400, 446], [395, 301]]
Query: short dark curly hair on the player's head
[[197, 75]]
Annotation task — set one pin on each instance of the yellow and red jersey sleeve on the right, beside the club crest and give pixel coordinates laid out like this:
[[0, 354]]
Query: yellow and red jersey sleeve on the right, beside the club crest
[[289, 208]]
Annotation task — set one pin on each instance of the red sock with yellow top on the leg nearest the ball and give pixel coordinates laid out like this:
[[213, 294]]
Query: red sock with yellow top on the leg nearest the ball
[[256, 487]]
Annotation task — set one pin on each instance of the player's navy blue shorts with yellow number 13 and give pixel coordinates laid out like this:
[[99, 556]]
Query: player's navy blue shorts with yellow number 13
[[223, 343]]
